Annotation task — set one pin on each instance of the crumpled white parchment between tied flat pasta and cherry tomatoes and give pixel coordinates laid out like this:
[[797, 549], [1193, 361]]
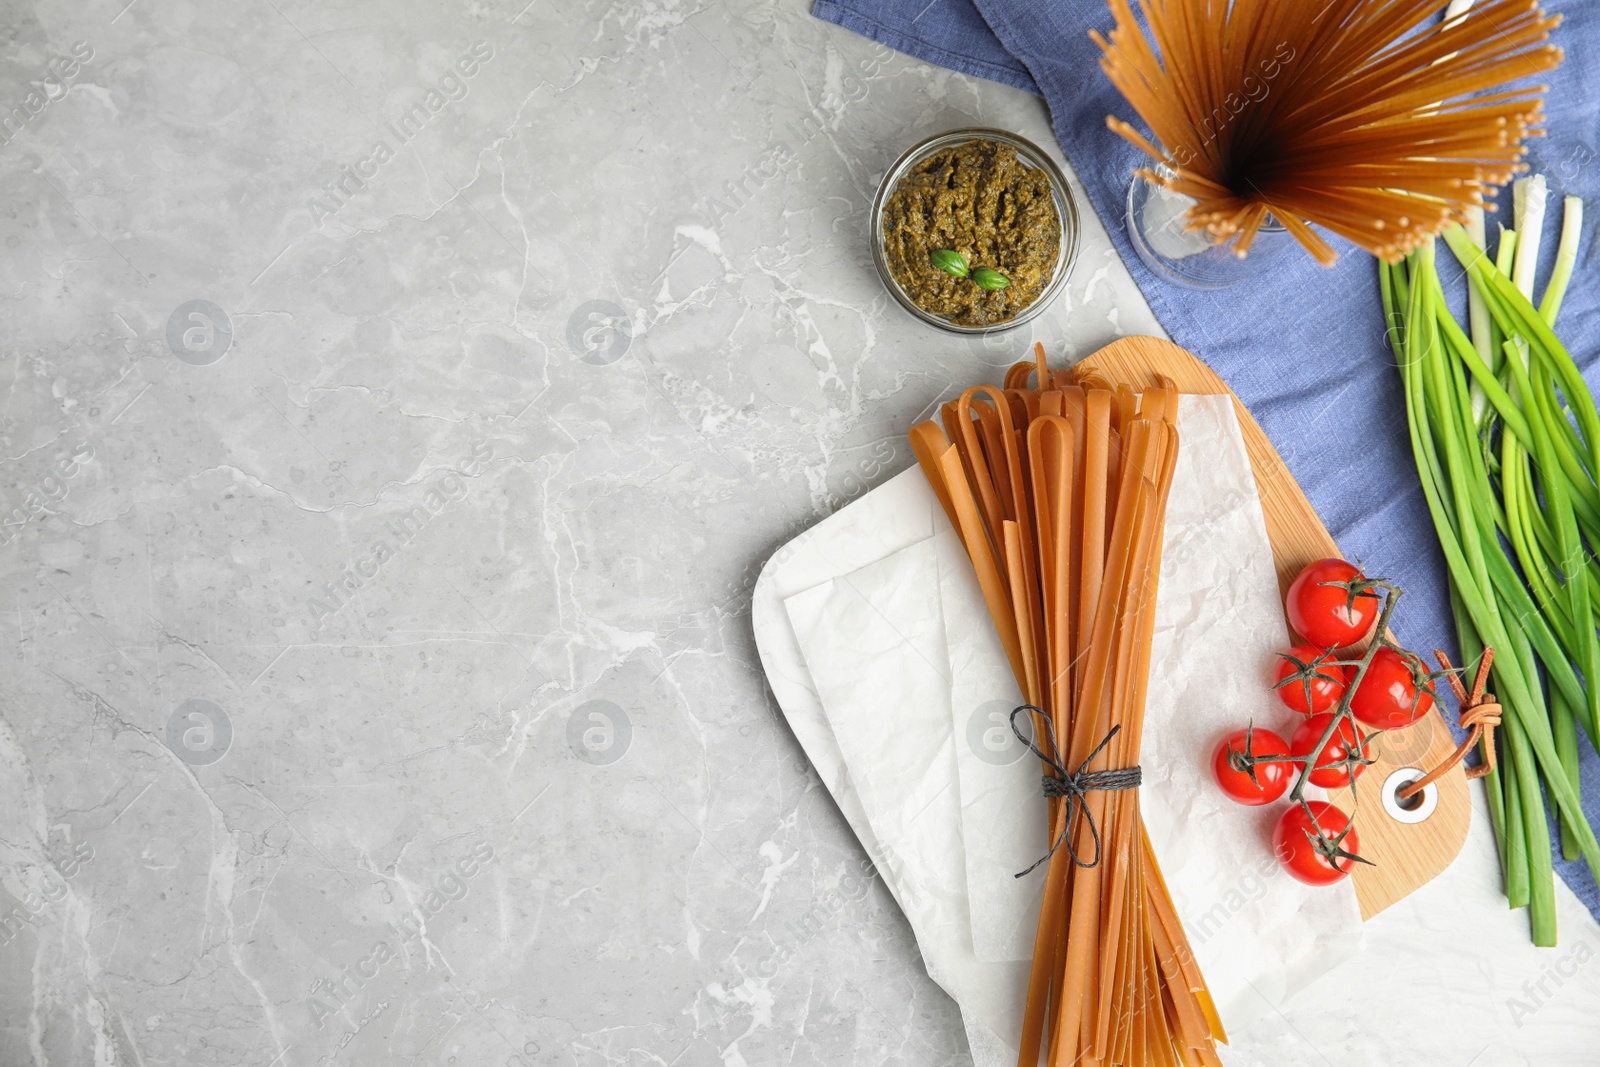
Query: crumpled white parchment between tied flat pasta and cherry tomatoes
[[1218, 629]]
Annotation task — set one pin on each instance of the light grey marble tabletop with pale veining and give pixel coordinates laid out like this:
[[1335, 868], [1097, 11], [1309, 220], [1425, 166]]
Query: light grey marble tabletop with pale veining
[[398, 402]]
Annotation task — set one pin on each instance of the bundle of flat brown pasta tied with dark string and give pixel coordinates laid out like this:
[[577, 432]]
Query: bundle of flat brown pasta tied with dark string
[[1058, 494]]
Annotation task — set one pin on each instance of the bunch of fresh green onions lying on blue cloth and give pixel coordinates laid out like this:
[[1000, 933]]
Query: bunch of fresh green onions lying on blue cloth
[[1508, 444]]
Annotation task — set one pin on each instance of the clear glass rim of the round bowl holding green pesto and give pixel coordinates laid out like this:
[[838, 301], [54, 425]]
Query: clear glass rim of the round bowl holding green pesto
[[1031, 156]]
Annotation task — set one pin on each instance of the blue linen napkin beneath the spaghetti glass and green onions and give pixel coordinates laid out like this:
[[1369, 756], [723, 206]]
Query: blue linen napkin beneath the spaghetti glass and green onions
[[1305, 348]]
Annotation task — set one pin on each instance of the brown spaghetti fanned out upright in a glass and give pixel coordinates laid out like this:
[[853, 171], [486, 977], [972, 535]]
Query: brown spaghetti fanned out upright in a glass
[[1334, 113]]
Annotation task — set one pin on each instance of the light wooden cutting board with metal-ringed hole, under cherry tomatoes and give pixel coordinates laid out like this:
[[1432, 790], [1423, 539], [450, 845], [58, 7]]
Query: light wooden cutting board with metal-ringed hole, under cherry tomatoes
[[1406, 857]]
